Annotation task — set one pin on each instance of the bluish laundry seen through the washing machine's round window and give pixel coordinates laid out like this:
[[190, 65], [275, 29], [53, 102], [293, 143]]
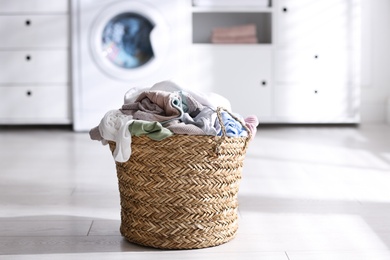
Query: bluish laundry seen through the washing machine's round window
[[126, 40]]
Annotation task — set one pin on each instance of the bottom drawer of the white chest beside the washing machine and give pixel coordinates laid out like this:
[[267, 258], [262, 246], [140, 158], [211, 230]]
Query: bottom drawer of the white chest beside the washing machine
[[35, 104]]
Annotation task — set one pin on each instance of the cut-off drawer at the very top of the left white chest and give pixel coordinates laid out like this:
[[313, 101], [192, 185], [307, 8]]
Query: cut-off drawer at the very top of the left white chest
[[34, 6]]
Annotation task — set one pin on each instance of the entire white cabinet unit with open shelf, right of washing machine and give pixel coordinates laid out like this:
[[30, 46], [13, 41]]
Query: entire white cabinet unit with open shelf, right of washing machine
[[307, 57]]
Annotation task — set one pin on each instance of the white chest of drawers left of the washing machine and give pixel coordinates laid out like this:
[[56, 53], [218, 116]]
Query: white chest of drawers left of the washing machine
[[34, 62]]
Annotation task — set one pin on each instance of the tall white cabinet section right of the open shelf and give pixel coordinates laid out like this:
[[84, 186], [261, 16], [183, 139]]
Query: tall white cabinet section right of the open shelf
[[314, 61]]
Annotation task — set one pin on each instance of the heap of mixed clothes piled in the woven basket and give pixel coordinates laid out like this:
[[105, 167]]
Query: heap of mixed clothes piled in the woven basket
[[166, 109]]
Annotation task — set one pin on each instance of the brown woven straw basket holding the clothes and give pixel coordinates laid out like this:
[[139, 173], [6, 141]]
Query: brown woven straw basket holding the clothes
[[181, 192]]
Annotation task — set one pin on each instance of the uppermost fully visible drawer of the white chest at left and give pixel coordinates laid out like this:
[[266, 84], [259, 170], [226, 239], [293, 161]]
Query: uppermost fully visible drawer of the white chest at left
[[34, 31]]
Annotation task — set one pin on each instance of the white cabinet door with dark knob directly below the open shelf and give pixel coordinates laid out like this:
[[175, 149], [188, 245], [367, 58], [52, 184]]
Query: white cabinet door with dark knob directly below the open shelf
[[239, 73]]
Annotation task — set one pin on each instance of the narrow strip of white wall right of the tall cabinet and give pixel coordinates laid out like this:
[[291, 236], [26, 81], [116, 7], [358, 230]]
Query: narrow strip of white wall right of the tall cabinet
[[375, 90]]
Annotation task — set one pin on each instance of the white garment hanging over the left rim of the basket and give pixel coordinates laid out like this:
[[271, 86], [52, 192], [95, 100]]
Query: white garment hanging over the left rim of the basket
[[114, 126]]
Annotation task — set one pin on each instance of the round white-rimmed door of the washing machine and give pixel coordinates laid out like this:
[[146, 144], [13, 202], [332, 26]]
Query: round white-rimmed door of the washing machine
[[130, 40]]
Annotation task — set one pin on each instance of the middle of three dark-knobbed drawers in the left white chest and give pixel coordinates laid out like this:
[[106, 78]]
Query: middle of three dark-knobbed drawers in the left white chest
[[21, 67]]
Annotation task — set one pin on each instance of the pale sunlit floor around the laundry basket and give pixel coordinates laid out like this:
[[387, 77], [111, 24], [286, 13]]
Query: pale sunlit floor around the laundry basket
[[307, 193]]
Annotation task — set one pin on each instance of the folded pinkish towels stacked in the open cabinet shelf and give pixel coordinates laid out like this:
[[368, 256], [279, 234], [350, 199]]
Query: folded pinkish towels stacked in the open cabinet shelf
[[235, 34]]
